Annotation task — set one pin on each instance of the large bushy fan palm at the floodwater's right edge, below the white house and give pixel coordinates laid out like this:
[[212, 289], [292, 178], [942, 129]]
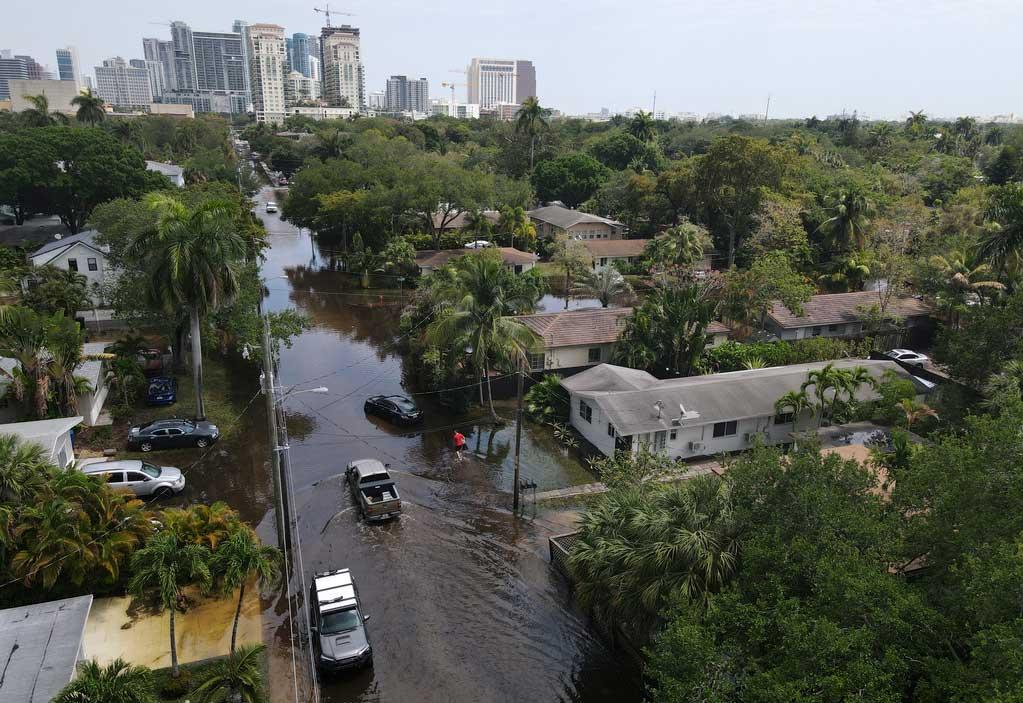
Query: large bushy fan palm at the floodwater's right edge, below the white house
[[642, 546]]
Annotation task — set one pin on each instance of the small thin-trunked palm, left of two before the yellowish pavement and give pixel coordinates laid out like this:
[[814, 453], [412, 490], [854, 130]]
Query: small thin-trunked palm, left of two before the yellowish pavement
[[167, 566]]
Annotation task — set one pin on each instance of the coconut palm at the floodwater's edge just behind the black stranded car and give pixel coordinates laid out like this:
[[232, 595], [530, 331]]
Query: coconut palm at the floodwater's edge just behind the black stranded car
[[477, 320]]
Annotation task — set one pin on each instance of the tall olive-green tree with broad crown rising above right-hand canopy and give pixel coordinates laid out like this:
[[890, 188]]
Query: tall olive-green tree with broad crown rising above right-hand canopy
[[733, 178]]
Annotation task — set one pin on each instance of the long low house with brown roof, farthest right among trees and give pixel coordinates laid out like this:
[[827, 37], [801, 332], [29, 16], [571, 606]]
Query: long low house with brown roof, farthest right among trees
[[841, 315]]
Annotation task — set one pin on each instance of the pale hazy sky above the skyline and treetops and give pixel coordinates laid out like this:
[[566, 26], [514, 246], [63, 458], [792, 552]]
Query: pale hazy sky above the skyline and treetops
[[881, 58]]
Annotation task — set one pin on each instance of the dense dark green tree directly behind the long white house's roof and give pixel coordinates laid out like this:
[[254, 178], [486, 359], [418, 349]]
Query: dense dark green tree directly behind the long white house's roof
[[668, 335]]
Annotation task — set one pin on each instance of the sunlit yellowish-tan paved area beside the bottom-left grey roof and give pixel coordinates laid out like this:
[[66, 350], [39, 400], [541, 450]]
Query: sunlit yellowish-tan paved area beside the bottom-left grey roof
[[142, 638]]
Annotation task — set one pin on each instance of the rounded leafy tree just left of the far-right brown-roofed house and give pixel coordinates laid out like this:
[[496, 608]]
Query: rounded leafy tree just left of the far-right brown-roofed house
[[749, 295]]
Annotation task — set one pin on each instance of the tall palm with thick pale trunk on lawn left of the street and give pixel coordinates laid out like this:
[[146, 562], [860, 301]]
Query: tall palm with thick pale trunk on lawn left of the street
[[195, 257]]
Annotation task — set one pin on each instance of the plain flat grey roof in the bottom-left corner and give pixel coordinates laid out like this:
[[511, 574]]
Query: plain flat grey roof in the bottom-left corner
[[41, 646]]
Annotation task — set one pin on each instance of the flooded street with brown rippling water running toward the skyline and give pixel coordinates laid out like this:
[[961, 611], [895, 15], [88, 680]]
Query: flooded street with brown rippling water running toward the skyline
[[464, 604]]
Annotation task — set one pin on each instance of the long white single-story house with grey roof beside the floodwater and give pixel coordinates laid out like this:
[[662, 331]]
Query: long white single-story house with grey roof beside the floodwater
[[700, 416]]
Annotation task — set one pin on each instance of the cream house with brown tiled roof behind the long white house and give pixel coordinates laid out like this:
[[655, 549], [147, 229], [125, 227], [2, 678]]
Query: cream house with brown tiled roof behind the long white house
[[573, 340]]
